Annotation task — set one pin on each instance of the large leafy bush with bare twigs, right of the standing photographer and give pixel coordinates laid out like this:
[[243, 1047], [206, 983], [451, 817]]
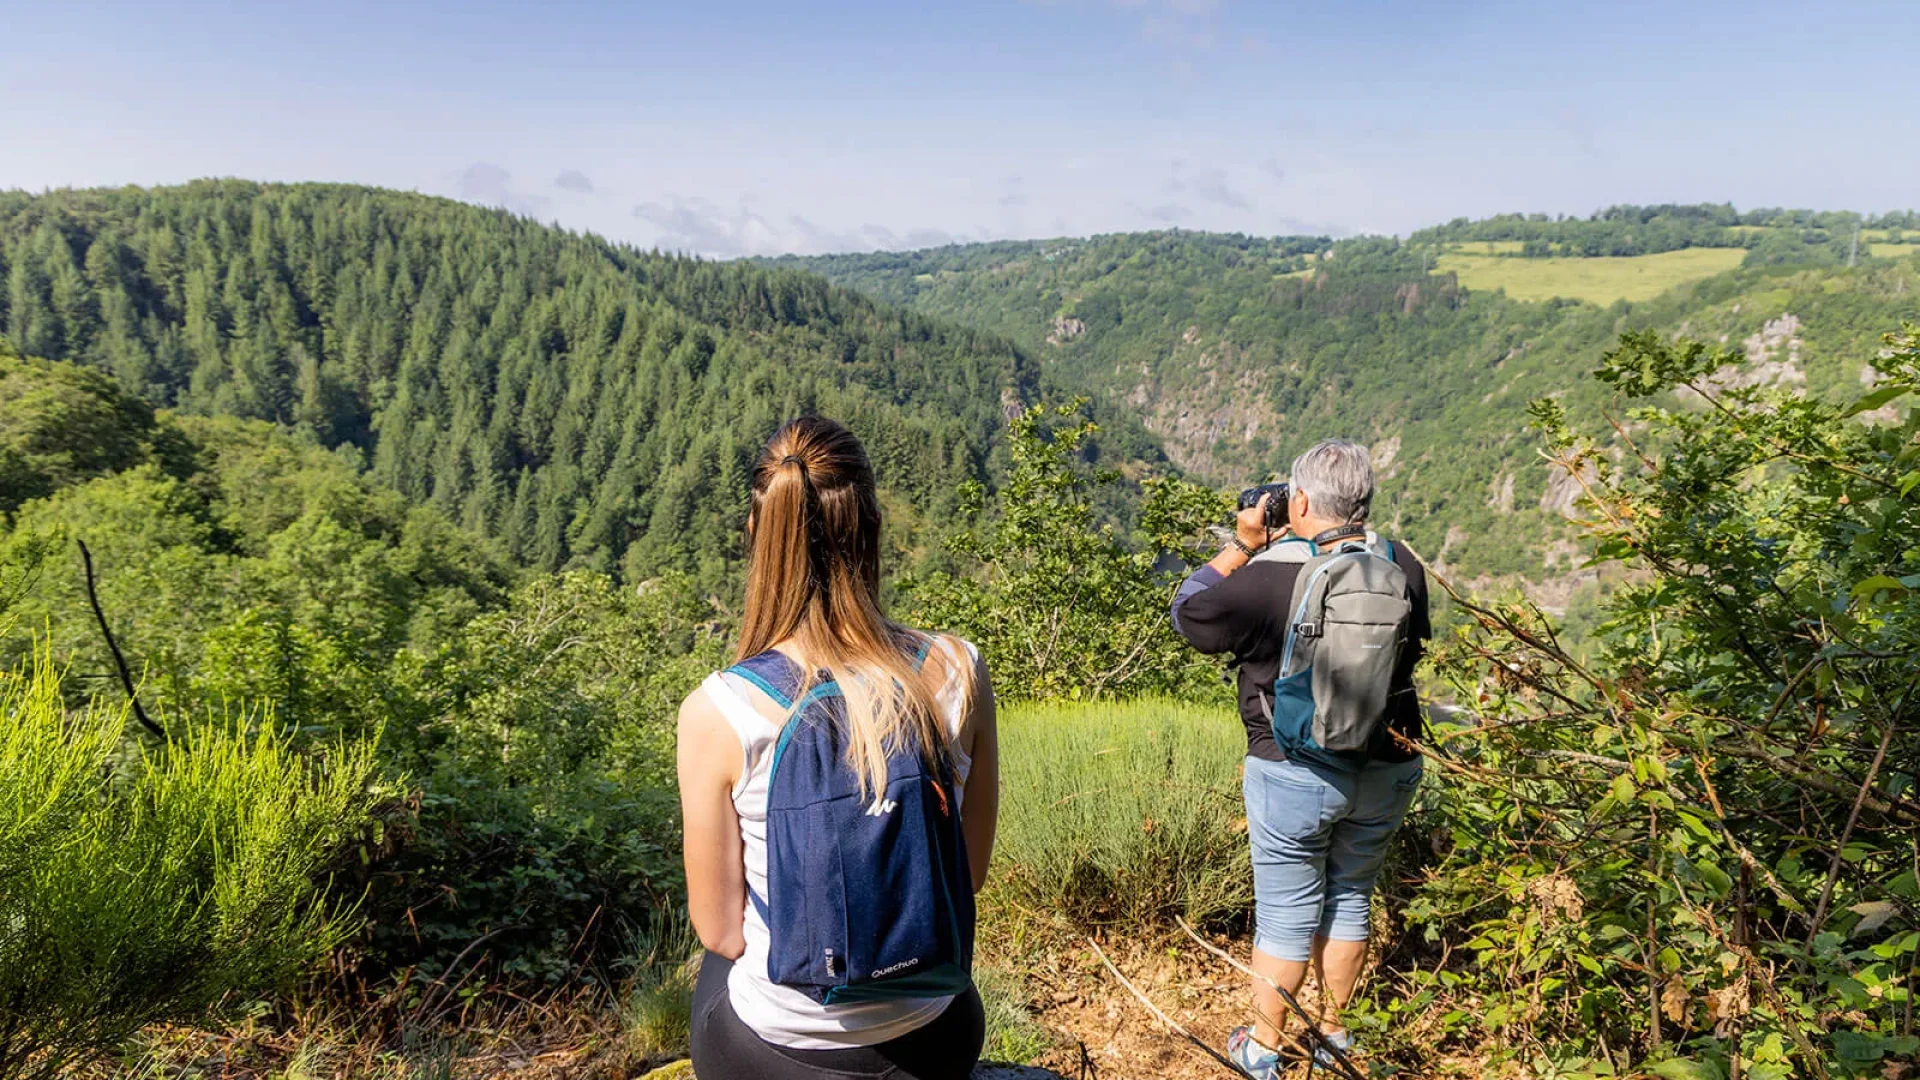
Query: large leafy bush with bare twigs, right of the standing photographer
[[1702, 845]]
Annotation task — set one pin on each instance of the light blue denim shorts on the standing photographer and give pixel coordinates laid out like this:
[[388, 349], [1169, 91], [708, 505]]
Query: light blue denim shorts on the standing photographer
[[1320, 839]]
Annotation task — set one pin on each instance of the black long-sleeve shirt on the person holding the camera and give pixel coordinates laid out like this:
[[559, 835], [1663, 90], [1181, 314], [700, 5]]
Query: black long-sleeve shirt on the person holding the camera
[[1245, 616]]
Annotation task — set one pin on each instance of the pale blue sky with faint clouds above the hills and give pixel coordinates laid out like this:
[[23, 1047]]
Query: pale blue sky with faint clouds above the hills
[[736, 128]]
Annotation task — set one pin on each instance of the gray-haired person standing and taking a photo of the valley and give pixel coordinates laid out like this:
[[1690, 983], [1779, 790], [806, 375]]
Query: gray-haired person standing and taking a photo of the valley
[[1320, 823]]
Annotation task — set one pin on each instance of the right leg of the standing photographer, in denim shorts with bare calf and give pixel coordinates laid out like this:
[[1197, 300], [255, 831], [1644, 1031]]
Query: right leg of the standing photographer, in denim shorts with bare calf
[[1355, 856]]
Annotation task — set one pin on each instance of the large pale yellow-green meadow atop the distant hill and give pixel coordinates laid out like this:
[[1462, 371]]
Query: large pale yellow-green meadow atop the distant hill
[[1593, 280]]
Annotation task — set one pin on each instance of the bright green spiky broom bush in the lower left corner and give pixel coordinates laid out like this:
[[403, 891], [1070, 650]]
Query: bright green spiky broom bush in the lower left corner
[[156, 885]]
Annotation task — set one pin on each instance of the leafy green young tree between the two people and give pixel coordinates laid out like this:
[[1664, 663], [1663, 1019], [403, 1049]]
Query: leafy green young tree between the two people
[[1061, 604]]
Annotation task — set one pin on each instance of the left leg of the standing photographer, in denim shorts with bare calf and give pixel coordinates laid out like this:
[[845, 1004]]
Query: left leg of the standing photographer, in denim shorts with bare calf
[[1289, 827]]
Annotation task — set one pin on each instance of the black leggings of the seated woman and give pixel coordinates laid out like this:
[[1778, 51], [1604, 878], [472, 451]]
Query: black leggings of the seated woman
[[729, 1050]]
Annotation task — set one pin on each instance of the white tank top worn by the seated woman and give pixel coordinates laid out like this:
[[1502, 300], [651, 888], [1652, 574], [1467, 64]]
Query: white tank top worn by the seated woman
[[780, 1014]]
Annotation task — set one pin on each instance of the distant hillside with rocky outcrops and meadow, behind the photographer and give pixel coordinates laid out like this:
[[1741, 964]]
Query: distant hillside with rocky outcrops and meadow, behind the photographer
[[1239, 353]]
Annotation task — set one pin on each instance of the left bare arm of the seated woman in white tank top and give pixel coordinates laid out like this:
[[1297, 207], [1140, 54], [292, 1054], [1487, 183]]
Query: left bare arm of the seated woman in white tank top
[[709, 762]]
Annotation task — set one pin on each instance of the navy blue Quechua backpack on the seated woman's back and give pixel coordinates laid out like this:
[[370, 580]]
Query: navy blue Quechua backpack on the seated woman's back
[[869, 898]]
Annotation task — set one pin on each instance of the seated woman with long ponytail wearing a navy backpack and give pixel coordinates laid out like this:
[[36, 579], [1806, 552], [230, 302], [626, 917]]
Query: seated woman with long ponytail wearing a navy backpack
[[838, 789]]
